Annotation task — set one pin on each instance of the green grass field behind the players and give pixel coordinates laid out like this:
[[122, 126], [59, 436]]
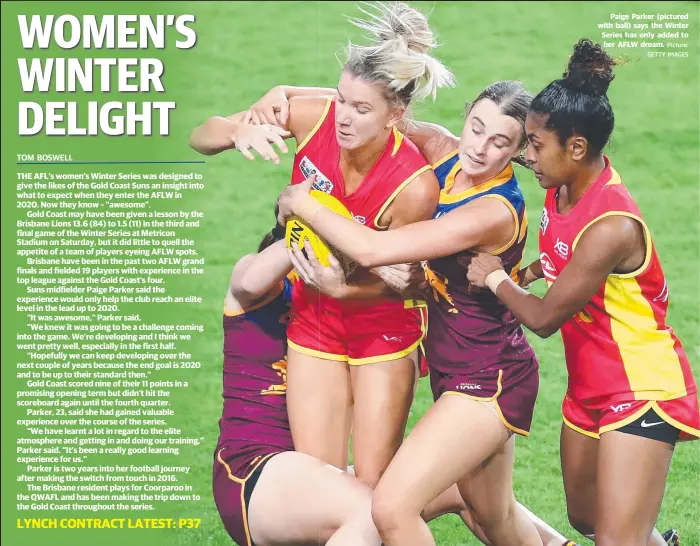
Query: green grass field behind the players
[[246, 48]]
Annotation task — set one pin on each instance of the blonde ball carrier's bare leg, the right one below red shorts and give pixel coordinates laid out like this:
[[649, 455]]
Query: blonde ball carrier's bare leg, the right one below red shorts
[[382, 394]]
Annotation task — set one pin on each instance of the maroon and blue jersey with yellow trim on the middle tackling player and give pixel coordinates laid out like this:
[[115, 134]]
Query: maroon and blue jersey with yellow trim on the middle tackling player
[[469, 329]]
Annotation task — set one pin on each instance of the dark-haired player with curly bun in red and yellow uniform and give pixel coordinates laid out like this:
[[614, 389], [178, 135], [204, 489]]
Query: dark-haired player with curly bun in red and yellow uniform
[[631, 393]]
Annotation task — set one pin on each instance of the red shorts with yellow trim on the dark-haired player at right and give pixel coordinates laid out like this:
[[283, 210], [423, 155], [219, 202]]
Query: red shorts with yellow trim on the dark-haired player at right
[[597, 416]]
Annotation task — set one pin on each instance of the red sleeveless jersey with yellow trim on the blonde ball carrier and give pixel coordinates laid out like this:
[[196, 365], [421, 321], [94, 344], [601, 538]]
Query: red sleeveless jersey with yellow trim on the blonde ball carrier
[[398, 165]]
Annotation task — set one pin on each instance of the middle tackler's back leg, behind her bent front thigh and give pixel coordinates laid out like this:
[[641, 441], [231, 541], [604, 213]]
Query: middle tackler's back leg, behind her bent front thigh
[[488, 492]]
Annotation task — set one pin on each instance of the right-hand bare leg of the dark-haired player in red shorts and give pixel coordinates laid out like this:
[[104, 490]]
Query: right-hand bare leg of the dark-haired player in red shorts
[[632, 473]]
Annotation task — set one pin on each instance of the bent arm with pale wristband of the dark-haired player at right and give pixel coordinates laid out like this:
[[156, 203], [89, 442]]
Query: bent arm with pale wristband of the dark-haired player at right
[[602, 248]]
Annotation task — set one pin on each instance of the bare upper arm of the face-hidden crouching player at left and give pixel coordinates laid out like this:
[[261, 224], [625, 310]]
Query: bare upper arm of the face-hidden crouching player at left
[[256, 276]]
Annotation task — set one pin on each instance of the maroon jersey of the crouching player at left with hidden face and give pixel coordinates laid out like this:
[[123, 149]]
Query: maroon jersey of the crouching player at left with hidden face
[[255, 372]]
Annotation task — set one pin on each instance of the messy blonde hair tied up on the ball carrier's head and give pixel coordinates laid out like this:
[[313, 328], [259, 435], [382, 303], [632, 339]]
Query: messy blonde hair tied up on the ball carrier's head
[[398, 56]]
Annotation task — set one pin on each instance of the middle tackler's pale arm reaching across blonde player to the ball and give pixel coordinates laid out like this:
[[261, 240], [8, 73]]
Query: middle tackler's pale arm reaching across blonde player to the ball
[[481, 224]]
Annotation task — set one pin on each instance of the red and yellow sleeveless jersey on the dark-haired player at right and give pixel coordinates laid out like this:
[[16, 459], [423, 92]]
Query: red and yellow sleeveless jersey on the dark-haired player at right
[[619, 344]]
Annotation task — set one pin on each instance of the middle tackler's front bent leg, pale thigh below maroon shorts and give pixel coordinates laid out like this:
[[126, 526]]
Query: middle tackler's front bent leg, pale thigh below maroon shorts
[[438, 452]]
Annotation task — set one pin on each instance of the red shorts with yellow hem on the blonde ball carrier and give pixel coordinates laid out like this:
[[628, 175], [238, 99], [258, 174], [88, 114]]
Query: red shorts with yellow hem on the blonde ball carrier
[[357, 333]]
